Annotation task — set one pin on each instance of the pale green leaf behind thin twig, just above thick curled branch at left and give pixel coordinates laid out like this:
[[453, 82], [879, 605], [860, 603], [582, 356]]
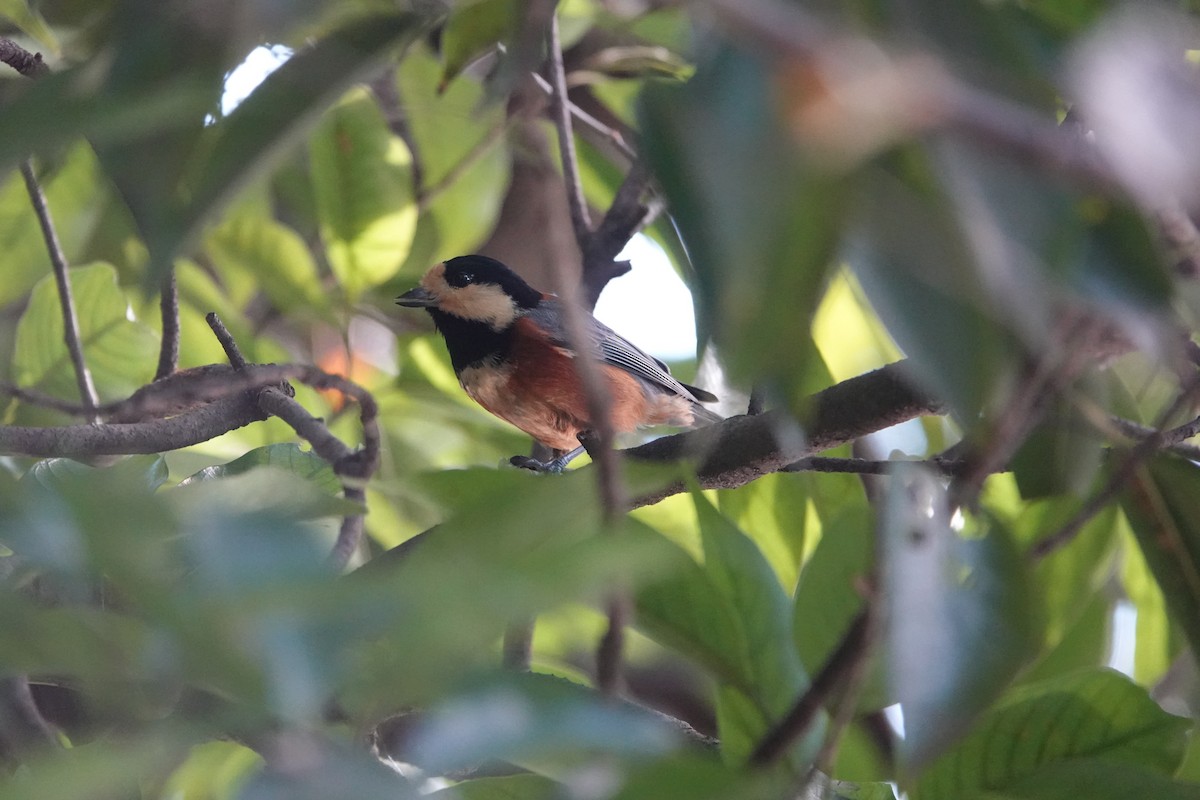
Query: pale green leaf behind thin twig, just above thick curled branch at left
[[121, 352]]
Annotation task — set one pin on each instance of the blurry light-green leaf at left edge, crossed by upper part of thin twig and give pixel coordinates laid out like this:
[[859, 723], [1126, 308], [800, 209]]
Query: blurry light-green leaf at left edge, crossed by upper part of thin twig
[[74, 194]]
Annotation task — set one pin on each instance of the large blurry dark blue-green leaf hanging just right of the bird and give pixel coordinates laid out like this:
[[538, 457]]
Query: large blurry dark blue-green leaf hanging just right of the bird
[[761, 226]]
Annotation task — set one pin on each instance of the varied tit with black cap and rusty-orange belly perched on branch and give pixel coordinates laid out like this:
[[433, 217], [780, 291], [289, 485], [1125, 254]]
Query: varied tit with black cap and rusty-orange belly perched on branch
[[511, 351]]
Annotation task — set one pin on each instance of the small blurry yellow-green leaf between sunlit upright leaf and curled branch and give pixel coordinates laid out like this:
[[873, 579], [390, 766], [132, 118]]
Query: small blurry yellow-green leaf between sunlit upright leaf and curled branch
[[277, 257]]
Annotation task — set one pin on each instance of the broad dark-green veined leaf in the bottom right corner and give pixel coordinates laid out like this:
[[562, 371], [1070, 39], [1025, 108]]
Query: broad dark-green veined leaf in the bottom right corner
[[1045, 732]]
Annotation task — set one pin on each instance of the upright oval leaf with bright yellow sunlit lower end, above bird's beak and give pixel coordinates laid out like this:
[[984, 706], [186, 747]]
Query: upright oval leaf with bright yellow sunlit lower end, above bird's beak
[[363, 183]]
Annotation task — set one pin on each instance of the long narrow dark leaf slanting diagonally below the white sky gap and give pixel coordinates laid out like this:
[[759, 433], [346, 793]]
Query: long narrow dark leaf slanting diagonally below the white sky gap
[[265, 128]]
